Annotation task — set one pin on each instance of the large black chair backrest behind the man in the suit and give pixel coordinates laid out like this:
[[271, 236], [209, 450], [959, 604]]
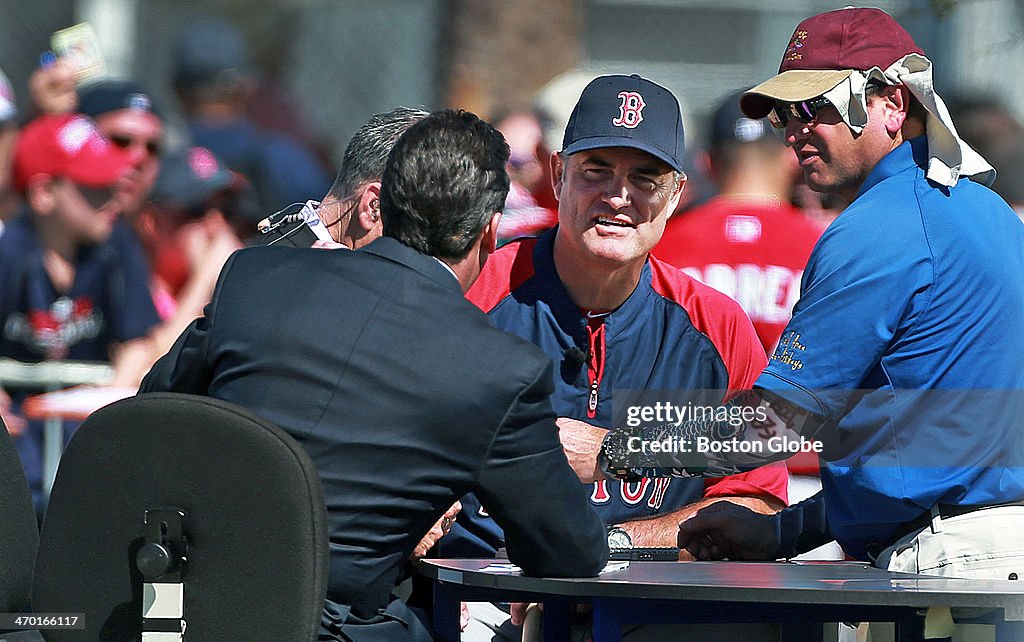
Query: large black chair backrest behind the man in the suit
[[253, 525]]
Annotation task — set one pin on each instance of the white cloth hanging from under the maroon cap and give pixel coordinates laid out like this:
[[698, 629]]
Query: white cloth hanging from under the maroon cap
[[950, 158]]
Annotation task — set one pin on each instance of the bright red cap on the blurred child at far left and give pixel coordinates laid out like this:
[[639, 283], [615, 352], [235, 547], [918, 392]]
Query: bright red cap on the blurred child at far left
[[71, 147]]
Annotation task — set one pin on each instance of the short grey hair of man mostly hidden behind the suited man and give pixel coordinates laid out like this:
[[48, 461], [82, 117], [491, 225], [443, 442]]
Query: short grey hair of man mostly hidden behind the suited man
[[367, 151]]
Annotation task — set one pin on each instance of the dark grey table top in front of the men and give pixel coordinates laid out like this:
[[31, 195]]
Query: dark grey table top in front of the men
[[792, 583]]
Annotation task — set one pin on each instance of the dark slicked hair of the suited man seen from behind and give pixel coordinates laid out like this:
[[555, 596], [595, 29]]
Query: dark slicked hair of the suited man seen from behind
[[444, 181]]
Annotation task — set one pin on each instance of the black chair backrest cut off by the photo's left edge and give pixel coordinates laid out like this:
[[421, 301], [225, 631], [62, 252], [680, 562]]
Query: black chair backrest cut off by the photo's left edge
[[19, 530]]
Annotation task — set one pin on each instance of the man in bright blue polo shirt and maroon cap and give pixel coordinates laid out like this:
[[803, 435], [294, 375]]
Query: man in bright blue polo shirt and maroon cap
[[906, 344]]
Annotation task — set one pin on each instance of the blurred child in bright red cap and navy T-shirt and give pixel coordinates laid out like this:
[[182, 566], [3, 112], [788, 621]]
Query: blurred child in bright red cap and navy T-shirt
[[66, 291]]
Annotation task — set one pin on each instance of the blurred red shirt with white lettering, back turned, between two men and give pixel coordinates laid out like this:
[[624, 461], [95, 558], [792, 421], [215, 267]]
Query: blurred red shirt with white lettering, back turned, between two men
[[753, 250]]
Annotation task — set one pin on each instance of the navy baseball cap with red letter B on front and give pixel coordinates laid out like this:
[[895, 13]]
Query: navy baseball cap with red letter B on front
[[627, 112]]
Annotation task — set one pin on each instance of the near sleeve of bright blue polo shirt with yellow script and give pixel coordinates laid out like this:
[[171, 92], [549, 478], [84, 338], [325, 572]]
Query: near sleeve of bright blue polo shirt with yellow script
[[858, 296]]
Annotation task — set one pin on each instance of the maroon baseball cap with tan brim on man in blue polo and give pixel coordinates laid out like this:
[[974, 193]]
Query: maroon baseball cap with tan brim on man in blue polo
[[825, 51]]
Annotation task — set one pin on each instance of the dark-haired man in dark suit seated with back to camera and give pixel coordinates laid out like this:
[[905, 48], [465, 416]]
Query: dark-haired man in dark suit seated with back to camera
[[402, 392]]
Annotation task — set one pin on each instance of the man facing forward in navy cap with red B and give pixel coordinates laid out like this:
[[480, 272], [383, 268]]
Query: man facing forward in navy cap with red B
[[612, 317]]
